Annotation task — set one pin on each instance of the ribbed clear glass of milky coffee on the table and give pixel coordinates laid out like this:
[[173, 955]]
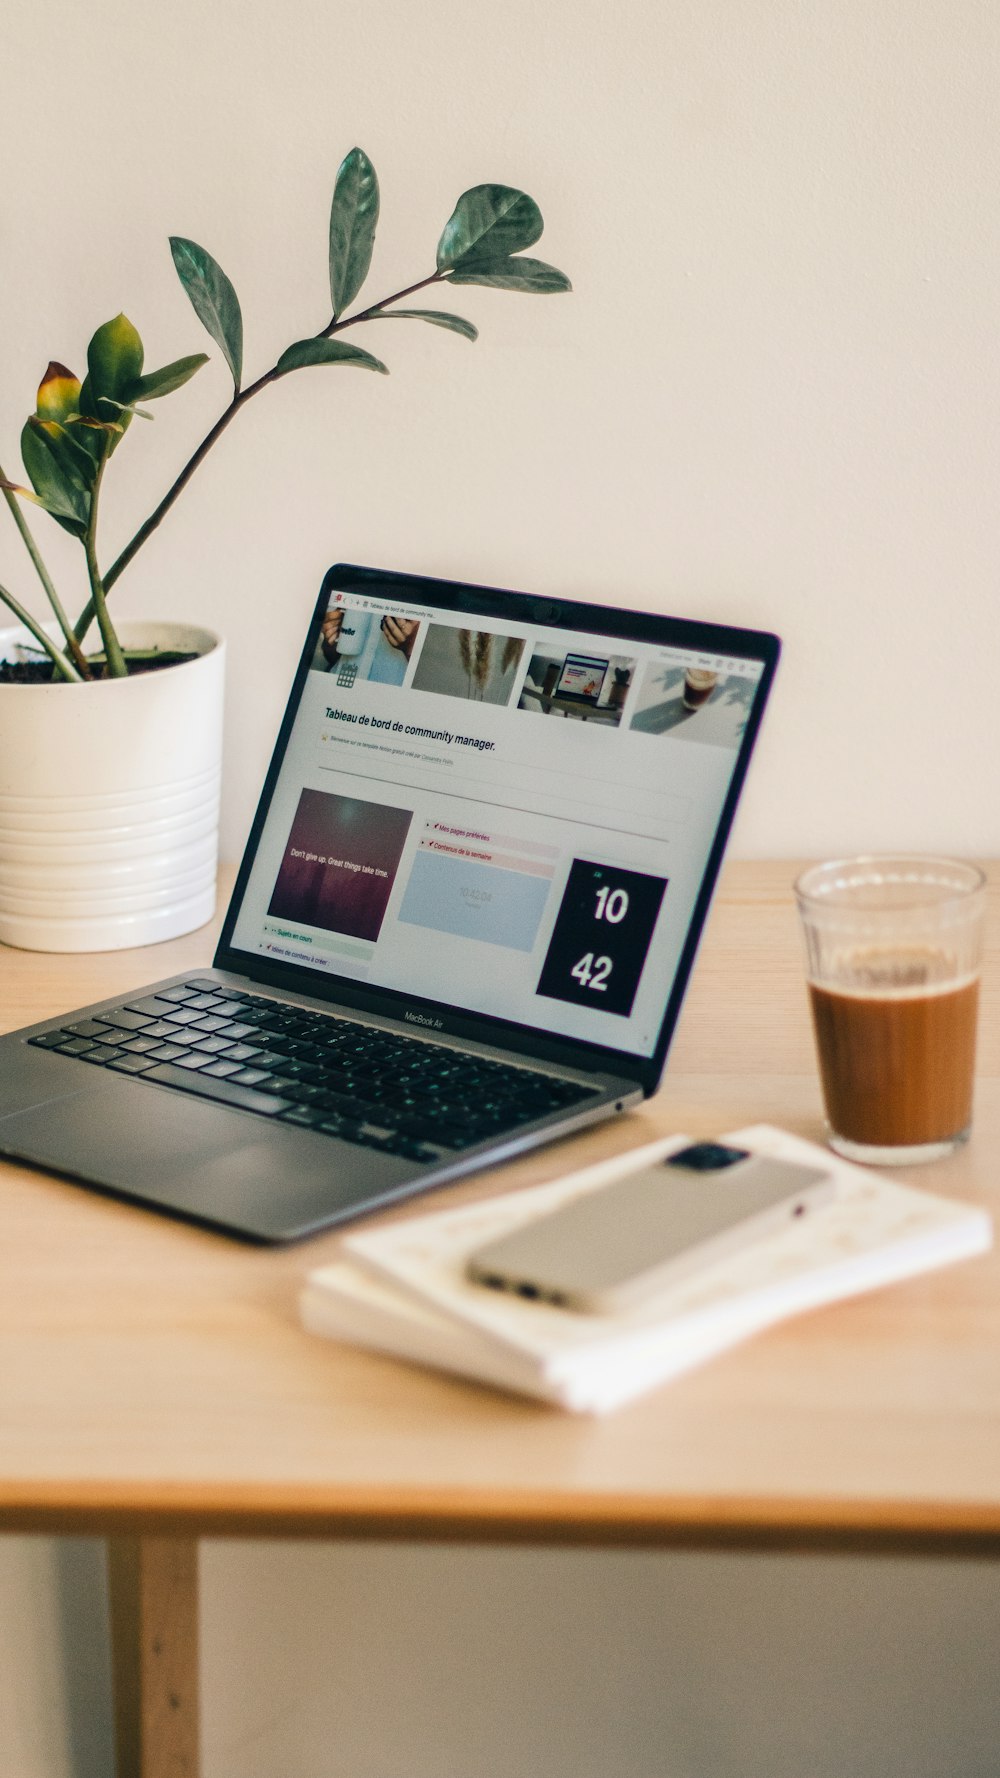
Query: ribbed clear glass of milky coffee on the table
[[894, 950]]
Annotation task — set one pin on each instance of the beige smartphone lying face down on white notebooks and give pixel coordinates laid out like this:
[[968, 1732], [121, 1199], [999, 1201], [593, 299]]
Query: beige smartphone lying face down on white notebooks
[[624, 1244]]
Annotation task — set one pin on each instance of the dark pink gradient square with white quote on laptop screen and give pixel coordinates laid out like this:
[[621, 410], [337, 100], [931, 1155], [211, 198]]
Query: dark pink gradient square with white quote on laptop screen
[[341, 863]]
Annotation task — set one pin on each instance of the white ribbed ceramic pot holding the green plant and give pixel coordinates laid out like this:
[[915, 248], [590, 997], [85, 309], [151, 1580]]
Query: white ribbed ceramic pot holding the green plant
[[109, 801]]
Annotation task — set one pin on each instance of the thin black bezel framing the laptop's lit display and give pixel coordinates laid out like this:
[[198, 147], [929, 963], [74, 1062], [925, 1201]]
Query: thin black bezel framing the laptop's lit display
[[552, 614]]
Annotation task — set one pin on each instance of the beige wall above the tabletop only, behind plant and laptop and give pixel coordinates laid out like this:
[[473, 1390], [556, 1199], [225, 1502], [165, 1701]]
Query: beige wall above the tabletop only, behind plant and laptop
[[773, 396]]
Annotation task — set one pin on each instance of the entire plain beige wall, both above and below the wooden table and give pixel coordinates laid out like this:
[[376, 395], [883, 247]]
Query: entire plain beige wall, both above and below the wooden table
[[771, 399]]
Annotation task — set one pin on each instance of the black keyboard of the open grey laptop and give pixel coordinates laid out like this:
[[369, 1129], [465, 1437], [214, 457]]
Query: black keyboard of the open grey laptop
[[314, 1069]]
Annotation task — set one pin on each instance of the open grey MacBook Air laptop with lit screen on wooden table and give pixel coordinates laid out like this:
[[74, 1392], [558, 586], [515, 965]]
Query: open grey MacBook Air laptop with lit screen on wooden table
[[460, 929]]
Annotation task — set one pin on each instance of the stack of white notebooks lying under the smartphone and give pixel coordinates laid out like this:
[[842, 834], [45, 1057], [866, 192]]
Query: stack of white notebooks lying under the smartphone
[[403, 1290]]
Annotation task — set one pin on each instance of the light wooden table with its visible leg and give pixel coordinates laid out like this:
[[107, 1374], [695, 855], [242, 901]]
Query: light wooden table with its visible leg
[[156, 1384]]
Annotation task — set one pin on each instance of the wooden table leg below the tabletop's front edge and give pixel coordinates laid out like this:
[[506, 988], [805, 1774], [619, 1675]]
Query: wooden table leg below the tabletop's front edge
[[154, 1628]]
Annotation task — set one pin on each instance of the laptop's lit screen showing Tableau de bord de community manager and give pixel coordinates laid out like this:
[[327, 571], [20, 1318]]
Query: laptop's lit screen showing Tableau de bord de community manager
[[506, 817]]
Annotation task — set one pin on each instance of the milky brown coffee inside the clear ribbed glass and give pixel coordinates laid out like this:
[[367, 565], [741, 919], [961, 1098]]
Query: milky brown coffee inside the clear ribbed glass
[[898, 1066]]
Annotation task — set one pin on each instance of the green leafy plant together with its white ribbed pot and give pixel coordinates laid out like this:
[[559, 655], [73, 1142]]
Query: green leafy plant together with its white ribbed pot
[[111, 737]]
